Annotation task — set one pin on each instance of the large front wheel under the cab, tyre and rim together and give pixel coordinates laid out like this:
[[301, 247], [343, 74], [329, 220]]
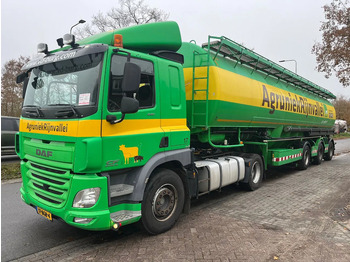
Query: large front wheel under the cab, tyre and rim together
[[163, 202]]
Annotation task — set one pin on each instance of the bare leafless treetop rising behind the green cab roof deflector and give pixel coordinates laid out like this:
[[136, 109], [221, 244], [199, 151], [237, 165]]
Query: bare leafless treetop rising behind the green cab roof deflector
[[129, 12]]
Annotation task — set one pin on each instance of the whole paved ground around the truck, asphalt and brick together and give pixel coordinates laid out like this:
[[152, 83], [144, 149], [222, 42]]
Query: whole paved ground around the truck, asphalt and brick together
[[287, 208]]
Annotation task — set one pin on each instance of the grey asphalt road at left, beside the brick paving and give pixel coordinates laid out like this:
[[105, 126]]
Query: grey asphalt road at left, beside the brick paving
[[24, 232]]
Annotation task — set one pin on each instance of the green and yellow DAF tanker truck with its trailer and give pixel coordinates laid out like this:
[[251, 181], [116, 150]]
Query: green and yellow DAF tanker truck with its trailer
[[130, 125]]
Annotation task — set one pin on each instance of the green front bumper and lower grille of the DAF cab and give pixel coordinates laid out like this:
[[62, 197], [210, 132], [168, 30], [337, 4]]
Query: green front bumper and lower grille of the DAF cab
[[102, 216]]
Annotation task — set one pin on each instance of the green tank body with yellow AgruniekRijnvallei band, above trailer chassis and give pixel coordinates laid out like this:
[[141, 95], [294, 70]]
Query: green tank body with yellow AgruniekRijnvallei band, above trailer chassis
[[229, 87]]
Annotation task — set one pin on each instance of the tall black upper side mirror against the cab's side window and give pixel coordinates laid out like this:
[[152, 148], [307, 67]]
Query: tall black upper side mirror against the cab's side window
[[132, 76]]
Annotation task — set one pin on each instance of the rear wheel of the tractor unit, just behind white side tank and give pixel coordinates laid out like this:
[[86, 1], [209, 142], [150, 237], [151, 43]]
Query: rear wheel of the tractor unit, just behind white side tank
[[255, 173]]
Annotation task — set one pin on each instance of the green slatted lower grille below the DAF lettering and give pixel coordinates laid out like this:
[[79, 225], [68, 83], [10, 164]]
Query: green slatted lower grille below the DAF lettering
[[48, 185]]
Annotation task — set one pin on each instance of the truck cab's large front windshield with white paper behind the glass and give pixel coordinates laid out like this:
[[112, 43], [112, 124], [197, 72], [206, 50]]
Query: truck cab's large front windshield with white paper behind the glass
[[73, 82]]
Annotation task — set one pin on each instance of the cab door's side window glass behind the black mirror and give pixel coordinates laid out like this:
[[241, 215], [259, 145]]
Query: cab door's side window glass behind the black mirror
[[145, 95]]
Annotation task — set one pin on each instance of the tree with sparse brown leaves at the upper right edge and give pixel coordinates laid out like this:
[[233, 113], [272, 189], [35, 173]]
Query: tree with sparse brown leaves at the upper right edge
[[333, 53]]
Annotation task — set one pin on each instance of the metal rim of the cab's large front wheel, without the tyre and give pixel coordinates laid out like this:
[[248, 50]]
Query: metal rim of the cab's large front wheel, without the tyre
[[164, 202]]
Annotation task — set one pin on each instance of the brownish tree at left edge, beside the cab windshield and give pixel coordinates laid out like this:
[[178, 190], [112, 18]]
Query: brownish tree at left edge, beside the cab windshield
[[11, 93]]
